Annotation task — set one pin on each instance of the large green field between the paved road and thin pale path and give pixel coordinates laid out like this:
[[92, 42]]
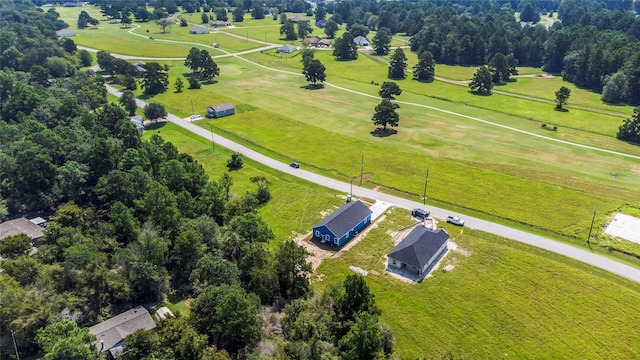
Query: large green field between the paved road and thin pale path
[[505, 174]]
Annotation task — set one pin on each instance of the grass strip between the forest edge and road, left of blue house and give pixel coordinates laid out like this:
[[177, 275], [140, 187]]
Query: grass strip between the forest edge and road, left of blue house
[[295, 205]]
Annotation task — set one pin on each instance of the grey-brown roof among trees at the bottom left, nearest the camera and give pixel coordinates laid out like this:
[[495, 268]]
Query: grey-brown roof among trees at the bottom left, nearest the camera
[[111, 332]]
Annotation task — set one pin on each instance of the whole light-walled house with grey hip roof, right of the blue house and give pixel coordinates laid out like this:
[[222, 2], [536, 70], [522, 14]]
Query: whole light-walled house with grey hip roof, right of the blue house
[[419, 250]]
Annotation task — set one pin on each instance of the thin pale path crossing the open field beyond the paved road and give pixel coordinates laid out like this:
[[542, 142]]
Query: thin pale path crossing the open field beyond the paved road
[[456, 114]]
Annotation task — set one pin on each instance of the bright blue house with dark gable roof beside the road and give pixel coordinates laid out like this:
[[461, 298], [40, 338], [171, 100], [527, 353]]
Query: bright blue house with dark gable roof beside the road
[[337, 228]]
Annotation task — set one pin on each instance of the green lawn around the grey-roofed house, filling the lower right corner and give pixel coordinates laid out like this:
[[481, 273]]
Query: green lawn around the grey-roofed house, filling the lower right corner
[[502, 300]]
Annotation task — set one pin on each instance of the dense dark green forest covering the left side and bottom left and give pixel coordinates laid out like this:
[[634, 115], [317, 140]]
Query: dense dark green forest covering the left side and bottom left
[[132, 222]]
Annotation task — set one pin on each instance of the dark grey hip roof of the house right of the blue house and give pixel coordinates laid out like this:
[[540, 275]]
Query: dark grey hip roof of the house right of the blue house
[[419, 246]]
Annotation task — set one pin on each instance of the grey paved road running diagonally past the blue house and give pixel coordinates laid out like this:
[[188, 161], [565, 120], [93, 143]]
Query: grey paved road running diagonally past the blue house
[[584, 256]]
